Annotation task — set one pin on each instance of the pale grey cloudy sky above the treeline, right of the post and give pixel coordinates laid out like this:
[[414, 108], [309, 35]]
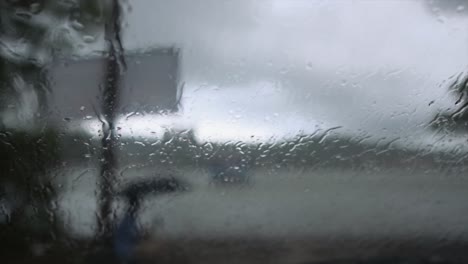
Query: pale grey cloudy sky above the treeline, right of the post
[[275, 67]]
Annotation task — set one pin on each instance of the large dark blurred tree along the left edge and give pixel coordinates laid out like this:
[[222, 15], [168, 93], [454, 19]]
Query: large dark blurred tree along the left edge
[[32, 34]]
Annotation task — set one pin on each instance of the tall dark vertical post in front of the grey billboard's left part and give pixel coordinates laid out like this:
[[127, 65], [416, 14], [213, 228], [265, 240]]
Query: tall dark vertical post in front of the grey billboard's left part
[[115, 64]]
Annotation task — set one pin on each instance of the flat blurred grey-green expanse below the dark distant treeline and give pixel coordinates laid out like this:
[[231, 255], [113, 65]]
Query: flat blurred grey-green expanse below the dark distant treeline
[[390, 203]]
